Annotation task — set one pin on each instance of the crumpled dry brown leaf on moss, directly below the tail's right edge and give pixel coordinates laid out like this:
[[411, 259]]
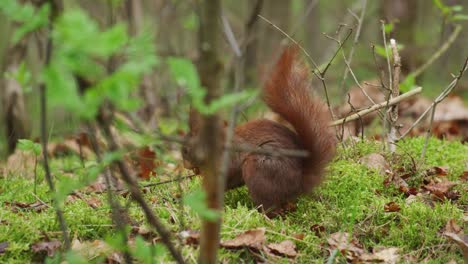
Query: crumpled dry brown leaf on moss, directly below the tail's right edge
[[347, 246]]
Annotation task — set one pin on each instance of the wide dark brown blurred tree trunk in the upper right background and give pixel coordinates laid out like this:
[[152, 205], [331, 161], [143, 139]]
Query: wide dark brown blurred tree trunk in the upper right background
[[404, 15]]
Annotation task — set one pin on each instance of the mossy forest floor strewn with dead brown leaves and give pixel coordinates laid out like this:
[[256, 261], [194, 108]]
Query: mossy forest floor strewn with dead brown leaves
[[394, 208]]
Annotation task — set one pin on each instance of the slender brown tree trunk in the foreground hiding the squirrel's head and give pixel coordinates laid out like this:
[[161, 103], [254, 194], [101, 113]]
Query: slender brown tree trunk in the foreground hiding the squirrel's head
[[209, 145]]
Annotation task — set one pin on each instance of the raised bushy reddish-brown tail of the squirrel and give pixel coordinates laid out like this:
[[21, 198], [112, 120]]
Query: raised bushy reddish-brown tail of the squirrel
[[288, 93]]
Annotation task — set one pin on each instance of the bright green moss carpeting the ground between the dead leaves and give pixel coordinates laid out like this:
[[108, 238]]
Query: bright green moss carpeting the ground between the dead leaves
[[351, 199]]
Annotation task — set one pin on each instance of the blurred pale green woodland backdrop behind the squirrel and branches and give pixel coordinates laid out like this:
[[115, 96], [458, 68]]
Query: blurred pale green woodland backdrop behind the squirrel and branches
[[421, 27]]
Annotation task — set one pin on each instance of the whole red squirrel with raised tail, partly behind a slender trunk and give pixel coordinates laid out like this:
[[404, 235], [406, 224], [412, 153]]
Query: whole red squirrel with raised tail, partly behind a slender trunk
[[275, 181]]
